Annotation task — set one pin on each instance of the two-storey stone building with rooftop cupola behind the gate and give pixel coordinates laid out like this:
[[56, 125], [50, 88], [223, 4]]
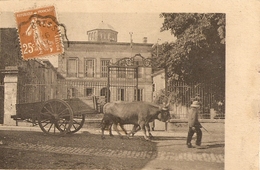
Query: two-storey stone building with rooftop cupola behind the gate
[[85, 65]]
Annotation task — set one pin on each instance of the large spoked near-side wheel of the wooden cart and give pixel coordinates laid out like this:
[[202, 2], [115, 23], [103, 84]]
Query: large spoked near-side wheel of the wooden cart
[[56, 117]]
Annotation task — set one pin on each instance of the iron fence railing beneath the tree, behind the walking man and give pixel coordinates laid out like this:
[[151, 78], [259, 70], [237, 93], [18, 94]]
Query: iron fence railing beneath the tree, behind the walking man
[[210, 107]]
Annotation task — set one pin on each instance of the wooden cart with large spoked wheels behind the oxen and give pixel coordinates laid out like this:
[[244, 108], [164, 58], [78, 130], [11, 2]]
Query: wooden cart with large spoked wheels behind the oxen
[[56, 116]]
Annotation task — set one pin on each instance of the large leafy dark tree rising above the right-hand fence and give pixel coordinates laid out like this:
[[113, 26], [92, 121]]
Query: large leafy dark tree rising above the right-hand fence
[[198, 54]]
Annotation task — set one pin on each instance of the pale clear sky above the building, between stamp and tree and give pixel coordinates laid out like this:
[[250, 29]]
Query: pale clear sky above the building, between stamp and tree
[[78, 23]]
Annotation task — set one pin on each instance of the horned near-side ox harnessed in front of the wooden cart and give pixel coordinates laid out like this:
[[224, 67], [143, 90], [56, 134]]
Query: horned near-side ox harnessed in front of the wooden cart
[[136, 113]]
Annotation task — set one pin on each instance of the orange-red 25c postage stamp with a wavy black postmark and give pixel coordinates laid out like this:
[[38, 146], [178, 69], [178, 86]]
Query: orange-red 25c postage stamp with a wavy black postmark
[[39, 32]]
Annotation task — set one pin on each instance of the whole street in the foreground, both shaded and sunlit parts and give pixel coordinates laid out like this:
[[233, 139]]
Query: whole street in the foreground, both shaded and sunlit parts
[[32, 149]]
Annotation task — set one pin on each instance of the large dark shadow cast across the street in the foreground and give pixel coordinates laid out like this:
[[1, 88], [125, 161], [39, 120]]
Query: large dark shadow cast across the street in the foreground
[[110, 153]]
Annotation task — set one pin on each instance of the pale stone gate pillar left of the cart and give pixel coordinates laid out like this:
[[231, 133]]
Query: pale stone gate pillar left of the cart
[[10, 94]]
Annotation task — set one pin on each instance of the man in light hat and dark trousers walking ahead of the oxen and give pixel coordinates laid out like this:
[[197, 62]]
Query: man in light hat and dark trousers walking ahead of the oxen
[[194, 124]]
